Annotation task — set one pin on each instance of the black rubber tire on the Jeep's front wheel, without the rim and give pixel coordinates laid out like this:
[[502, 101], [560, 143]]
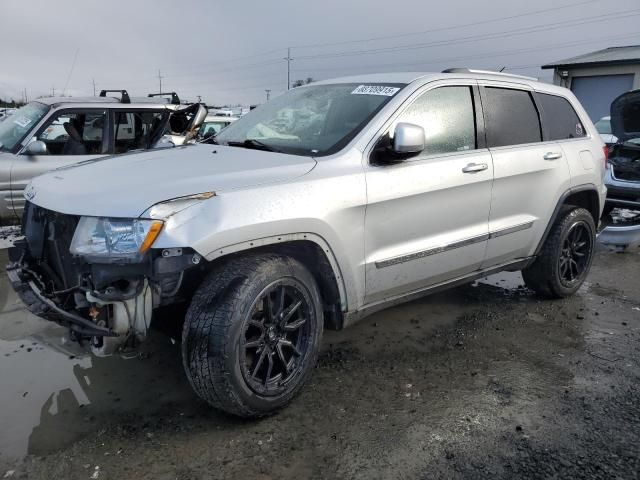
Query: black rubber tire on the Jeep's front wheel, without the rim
[[215, 323]]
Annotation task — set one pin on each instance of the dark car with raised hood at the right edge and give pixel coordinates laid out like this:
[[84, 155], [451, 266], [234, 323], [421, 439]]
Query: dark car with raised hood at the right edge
[[623, 175]]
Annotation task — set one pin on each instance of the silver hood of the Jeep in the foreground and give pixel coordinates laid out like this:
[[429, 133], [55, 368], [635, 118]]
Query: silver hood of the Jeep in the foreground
[[126, 185]]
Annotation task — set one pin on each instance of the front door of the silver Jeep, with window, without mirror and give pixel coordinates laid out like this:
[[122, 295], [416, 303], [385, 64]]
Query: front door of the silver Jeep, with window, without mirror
[[426, 217]]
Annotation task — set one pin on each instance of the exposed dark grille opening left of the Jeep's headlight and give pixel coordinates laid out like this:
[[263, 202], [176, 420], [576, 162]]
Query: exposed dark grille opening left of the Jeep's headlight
[[48, 235]]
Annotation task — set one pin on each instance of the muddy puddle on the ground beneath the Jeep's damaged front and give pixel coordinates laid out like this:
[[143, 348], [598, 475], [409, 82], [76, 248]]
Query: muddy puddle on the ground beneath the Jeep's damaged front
[[53, 393]]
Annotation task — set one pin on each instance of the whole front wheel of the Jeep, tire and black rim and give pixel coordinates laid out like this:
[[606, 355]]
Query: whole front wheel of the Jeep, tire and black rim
[[252, 334]]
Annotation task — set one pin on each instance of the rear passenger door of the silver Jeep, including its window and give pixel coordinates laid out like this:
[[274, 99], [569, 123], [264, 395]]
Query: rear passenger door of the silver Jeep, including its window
[[529, 174]]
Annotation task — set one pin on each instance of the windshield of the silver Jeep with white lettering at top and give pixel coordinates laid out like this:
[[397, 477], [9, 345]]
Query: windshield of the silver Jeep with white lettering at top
[[314, 121]]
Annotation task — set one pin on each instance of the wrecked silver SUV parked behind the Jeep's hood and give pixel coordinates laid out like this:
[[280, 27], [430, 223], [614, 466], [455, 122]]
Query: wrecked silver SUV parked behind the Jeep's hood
[[53, 132]]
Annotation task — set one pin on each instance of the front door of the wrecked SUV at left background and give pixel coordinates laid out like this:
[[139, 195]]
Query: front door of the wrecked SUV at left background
[[87, 142]]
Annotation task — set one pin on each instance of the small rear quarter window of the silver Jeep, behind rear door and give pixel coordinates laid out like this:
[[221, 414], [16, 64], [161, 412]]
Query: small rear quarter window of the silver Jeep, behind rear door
[[559, 120]]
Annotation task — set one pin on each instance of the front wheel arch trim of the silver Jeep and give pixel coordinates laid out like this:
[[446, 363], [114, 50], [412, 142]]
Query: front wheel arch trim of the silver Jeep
[[314, 253]]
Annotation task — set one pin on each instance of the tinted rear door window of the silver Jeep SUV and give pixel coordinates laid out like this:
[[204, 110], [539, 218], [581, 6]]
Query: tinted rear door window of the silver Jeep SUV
[[511, 117]]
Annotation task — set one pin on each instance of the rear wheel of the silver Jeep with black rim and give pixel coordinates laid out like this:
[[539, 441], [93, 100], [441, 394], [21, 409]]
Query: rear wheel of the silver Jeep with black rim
[[566, 256]]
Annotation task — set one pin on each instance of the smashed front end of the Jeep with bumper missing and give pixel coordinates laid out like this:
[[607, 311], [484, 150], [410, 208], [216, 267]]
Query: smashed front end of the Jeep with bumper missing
[[106, 303]]
